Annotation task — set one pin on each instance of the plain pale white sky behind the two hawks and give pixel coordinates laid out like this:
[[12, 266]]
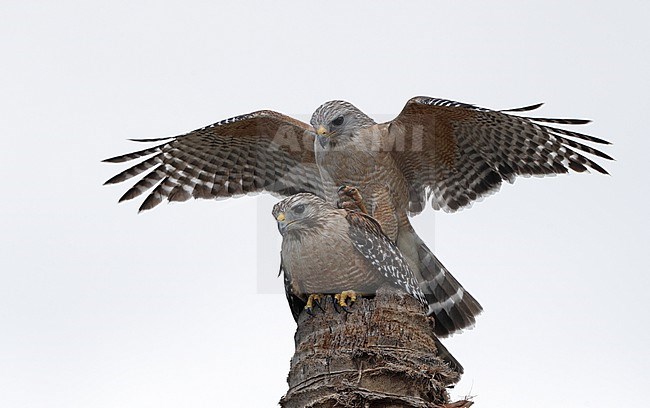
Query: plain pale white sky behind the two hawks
[[101, 307]]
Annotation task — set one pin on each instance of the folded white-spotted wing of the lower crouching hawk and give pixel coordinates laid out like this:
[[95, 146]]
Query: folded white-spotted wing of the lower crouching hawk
[[381, 254]]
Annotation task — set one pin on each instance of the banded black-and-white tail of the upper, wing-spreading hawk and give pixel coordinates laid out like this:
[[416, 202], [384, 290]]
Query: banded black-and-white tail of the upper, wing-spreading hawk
[[452, 307]]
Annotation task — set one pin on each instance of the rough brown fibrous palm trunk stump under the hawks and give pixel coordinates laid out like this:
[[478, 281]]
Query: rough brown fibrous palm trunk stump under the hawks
[[382, 354]]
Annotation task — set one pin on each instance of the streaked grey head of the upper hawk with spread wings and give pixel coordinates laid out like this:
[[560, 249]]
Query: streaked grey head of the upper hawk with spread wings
[[337, 122]]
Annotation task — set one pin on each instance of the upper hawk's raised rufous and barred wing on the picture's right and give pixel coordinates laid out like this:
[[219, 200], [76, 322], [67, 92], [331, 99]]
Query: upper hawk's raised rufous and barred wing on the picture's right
[[455, 153]]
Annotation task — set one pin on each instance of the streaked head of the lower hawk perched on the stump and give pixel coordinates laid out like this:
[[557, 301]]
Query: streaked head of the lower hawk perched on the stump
[[300, 213]]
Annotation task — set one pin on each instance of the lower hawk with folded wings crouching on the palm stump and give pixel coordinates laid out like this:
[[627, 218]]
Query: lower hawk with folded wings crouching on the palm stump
[[326, 250]]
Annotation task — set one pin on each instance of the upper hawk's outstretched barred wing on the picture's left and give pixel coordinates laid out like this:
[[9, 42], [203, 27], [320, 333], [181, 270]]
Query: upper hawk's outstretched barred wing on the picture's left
[[260, 151]]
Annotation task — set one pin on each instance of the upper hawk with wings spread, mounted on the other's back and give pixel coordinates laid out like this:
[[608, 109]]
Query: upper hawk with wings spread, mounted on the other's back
[[445, 152]]
